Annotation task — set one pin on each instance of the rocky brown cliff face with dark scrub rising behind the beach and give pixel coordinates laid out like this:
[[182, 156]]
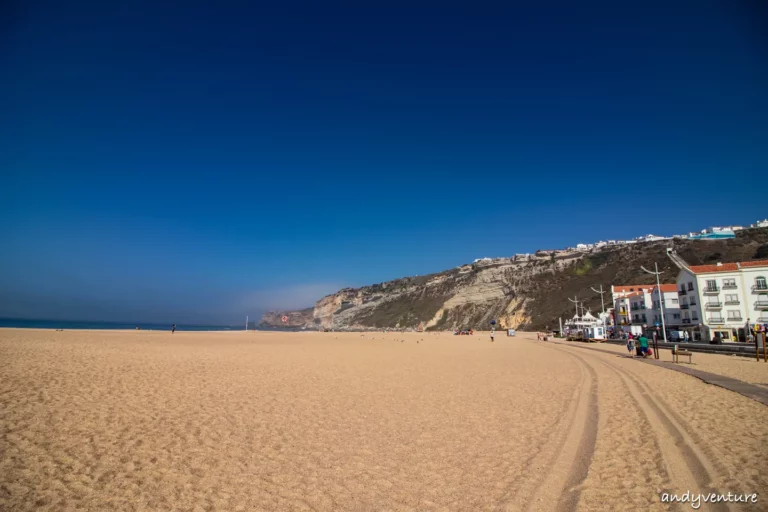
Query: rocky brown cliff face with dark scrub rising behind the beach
[[524, 293]]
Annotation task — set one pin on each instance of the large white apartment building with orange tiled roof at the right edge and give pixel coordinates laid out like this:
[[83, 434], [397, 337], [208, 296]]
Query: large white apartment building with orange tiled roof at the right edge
[[723, 300]]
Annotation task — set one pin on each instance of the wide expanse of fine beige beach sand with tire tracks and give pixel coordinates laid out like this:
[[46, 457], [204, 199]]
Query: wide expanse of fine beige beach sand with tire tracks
[[134, 420]]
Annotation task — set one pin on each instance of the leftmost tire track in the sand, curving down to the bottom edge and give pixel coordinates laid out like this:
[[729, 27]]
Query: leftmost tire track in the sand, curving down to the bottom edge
[[566, 472]]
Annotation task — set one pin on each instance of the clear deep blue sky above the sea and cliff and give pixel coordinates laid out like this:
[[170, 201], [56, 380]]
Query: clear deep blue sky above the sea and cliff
[[209, 160]]
